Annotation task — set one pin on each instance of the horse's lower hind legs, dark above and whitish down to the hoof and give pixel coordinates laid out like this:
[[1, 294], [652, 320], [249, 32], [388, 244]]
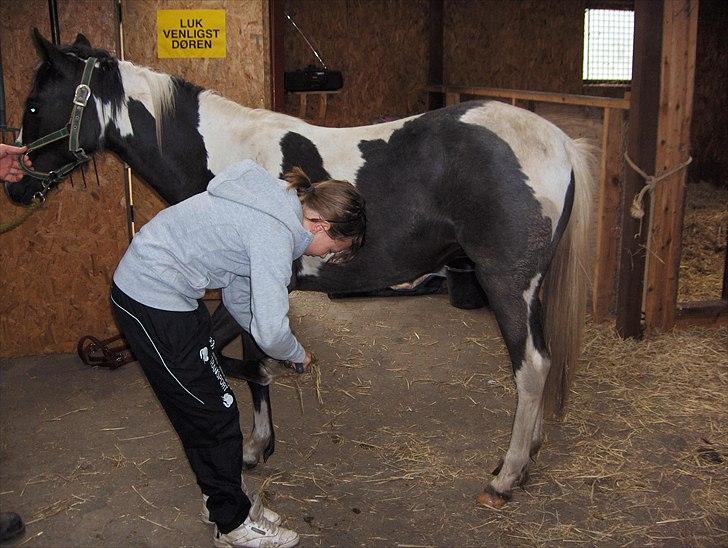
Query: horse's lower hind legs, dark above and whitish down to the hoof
[[518, 314]]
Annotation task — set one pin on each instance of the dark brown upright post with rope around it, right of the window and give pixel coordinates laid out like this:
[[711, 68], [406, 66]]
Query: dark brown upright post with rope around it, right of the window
[[642, 135]]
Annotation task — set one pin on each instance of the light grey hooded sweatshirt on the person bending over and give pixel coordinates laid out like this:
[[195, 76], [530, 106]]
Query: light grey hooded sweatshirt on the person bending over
[[242, 235]]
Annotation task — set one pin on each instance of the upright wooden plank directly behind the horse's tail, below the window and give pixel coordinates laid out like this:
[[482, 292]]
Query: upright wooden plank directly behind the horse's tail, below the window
[[610, 197]]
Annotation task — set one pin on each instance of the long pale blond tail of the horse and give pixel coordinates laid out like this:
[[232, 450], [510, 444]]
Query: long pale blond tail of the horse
[[567, 280]]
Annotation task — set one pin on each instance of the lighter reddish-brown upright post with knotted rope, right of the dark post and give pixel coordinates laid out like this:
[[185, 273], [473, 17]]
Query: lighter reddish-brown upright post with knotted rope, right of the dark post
[[680, 22]]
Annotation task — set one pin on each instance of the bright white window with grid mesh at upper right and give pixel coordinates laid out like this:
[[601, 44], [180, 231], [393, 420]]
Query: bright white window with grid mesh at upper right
[[608, 39]]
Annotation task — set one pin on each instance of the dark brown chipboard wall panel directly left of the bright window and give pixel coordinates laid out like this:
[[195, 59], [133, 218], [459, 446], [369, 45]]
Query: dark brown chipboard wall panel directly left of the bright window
[[523, 44]]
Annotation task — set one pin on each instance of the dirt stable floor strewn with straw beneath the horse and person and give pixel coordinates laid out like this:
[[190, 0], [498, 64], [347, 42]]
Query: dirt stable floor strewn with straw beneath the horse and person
[[390, 444]]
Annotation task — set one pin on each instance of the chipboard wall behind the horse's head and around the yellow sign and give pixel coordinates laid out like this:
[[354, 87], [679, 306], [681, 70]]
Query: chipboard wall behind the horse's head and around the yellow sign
[[56, 268]]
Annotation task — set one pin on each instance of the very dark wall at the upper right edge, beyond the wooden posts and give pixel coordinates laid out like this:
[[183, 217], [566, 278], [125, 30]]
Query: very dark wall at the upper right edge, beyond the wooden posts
[[709, 127]]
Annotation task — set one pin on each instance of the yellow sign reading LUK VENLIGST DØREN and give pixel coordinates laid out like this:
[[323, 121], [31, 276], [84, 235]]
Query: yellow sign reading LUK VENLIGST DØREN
[[191, 33]]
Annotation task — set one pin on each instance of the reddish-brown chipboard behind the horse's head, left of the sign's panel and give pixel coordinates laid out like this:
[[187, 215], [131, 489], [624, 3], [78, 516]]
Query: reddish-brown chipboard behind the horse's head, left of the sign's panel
[[56, 268]]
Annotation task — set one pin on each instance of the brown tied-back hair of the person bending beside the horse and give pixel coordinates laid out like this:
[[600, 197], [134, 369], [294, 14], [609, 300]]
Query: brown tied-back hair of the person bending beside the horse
[[337, 202]]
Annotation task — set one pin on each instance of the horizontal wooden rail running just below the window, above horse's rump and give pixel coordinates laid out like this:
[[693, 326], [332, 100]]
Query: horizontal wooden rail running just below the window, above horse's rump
[[540, 96]]
